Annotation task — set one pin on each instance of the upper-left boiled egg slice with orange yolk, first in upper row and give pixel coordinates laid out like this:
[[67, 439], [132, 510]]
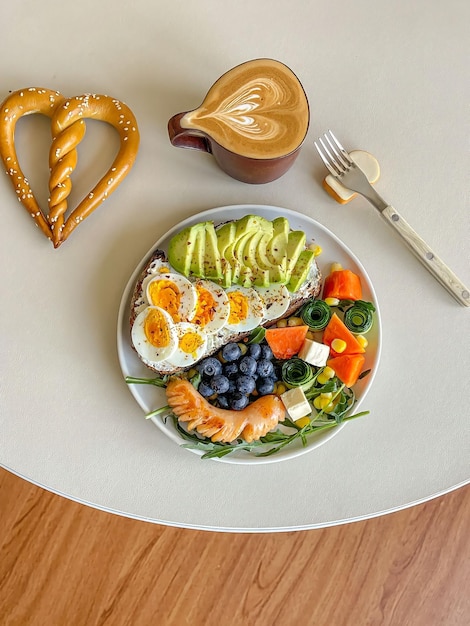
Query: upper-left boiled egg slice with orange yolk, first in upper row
[[173, 293]]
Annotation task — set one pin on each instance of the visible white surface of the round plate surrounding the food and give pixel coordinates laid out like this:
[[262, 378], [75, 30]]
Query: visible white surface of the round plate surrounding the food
[[150, 397]]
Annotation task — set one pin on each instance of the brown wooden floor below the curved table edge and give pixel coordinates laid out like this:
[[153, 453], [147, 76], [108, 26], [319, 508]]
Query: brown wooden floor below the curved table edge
[[68, 565]]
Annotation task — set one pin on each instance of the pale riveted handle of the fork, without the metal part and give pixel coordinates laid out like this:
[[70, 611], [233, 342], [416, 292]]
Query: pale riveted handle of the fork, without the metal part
[[428, 258]]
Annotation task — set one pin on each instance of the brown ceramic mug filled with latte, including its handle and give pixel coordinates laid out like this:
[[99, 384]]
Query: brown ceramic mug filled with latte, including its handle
[[253, 120]]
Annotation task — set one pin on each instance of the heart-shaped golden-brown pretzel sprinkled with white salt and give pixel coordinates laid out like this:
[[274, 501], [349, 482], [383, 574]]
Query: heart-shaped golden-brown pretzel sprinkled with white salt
[[68, 128]]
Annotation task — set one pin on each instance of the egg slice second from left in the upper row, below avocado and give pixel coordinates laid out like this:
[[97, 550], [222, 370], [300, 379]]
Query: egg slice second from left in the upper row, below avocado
[[212, 306]]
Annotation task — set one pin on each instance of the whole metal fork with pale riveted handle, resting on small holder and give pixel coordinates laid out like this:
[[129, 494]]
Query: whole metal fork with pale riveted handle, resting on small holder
[[344, 169]]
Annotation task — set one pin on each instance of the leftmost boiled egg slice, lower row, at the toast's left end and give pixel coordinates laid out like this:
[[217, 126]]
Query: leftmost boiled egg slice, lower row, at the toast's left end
[[154, 334]]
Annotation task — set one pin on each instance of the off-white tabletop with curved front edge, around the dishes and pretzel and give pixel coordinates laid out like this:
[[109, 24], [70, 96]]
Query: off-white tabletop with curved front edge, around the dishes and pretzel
[[388, 77]]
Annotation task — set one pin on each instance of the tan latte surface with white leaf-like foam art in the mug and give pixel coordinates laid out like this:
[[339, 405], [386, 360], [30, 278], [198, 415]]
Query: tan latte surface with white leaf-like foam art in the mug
[[257, 109]]
